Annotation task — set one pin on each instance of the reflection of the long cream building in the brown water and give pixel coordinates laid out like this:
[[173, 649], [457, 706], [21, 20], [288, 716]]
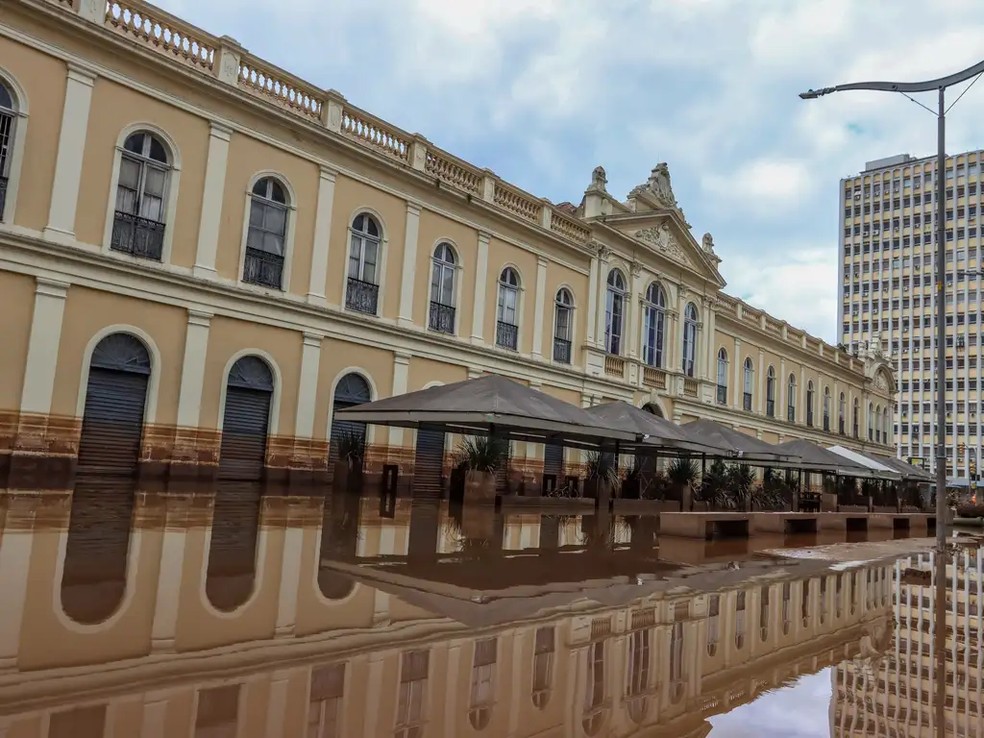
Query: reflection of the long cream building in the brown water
[[132, 633]]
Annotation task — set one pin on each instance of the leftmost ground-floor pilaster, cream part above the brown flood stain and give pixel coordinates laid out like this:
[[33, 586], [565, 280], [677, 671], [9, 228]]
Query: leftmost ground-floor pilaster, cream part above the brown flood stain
[[42, 350]]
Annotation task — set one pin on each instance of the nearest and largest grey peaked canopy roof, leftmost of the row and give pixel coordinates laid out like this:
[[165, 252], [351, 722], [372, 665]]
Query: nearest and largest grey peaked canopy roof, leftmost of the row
[[490, 403]]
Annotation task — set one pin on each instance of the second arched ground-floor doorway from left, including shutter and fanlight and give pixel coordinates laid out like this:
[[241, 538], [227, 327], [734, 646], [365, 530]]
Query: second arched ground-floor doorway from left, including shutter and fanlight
[[246, 419]]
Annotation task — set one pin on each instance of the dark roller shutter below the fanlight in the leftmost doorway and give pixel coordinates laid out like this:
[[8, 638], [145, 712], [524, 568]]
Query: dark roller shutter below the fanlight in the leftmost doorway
[[112, 424]]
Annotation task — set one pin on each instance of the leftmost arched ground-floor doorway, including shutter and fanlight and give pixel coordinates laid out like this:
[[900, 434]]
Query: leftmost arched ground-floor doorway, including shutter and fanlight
[[115, 397]]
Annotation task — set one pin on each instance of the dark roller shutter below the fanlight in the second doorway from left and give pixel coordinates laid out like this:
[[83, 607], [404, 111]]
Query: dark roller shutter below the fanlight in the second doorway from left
[[244, 433]]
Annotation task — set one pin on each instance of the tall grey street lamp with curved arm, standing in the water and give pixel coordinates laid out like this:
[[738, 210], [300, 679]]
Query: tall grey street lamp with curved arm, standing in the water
[[940, 86]]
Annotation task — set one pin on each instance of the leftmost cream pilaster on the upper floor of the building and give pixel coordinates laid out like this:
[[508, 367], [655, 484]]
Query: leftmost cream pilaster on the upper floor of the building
[[71, 148]]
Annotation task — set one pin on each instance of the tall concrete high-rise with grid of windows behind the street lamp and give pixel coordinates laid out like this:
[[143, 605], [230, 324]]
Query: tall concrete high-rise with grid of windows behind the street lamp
[[886, 295]]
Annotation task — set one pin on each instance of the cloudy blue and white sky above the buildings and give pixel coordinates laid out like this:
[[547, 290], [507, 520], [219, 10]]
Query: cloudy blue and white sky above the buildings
[[542, 91]]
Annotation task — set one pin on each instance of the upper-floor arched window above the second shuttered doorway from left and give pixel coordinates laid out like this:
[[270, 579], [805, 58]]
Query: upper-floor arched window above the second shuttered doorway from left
[[266, 234]]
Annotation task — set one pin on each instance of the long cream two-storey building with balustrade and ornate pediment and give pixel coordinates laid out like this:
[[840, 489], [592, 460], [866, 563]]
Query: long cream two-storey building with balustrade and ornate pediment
[[195, 241]]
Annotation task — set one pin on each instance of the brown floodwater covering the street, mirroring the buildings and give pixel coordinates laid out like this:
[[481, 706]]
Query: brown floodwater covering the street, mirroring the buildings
[[227, 613]]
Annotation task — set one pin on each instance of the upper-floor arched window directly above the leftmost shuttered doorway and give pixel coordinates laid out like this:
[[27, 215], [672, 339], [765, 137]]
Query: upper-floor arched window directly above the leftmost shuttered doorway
[[138, 223]]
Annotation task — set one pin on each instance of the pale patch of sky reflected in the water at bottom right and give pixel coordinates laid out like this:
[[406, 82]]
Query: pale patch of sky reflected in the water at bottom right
[[801, 710]]
